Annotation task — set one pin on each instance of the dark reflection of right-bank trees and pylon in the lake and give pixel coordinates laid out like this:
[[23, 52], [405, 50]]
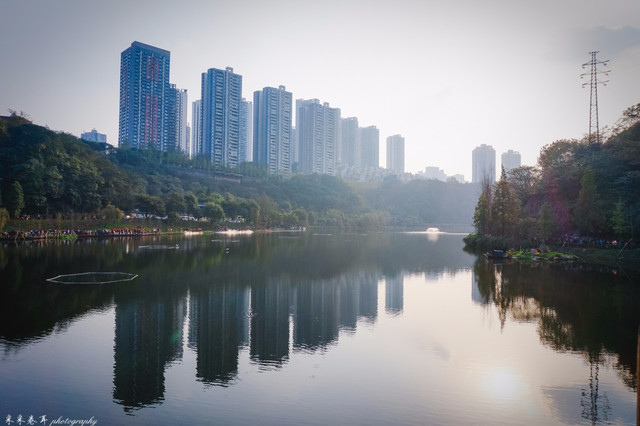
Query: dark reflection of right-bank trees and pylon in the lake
[[591, 310]]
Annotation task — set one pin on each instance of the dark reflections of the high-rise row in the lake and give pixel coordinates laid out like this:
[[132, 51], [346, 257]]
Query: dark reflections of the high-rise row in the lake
[[267, 318]]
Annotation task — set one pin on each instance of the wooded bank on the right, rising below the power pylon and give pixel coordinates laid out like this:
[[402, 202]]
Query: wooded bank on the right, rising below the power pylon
[[579, 189]]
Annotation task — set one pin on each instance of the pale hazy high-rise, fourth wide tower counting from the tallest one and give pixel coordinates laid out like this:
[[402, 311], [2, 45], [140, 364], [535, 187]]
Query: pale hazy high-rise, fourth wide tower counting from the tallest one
[[318, 126]]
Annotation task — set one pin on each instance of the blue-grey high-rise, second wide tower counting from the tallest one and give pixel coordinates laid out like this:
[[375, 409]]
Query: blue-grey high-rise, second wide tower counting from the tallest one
[[221, 97]]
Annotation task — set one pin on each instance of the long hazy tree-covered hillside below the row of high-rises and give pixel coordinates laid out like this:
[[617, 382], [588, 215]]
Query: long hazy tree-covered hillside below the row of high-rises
[[49, 174]]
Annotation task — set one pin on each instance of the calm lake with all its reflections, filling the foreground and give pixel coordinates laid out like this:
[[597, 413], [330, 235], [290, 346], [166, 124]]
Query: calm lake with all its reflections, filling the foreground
[[317, 329]]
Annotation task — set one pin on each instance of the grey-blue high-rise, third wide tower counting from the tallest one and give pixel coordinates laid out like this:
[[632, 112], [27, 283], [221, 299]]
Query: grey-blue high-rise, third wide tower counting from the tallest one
[[272, 128]]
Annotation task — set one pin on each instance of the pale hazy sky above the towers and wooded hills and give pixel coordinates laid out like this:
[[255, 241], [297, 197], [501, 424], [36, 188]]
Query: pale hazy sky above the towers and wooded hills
[[448, 75]]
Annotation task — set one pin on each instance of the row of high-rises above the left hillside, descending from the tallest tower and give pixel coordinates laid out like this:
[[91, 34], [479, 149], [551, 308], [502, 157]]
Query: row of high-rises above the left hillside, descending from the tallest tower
[[229, 130]]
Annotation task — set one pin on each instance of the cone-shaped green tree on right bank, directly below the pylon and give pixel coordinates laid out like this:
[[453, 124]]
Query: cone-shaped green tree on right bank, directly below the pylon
[[587, 215]]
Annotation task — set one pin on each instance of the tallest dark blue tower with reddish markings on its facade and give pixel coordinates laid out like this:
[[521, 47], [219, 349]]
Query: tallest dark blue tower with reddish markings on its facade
[[146, 110]]
